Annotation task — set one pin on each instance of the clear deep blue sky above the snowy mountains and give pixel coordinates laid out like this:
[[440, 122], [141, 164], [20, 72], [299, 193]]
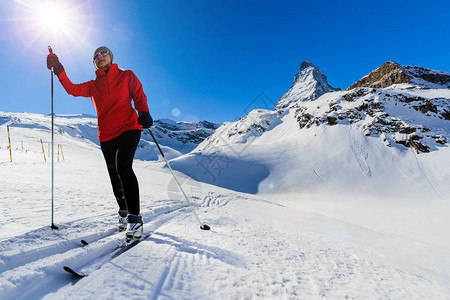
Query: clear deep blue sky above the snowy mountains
[[207, 60]]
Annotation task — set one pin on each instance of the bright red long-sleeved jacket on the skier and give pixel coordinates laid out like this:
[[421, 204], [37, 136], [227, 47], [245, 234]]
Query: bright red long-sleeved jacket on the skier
[[111, 94]]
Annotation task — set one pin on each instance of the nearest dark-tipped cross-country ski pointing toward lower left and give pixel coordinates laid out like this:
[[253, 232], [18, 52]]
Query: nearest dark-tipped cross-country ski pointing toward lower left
[[84, 271]]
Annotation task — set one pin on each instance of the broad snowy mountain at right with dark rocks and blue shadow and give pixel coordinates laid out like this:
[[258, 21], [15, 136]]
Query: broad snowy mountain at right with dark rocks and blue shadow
[[389, 141]]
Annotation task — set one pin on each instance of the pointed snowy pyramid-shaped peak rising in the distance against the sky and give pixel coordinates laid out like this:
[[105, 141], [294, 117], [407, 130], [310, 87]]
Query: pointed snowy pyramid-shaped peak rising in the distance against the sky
[[309, 84]]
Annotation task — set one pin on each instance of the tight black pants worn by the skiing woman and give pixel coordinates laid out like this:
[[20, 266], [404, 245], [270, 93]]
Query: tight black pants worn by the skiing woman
[[119, 154]]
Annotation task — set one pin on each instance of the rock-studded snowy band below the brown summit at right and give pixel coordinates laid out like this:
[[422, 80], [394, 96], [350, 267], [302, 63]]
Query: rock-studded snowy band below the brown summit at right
[[398, 116]]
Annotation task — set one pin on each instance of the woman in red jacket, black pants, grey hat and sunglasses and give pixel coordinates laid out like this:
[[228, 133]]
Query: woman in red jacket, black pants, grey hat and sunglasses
[[119, 127]]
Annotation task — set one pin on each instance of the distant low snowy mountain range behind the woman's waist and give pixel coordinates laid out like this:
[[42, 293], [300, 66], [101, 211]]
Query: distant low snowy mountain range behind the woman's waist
[[175, 137]]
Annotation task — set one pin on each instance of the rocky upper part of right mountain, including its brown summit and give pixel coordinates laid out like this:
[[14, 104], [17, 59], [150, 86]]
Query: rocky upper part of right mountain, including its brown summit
[[402, 105]]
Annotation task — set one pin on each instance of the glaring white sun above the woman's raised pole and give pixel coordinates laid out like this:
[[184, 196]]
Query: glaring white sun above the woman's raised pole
[[63, 24]]
